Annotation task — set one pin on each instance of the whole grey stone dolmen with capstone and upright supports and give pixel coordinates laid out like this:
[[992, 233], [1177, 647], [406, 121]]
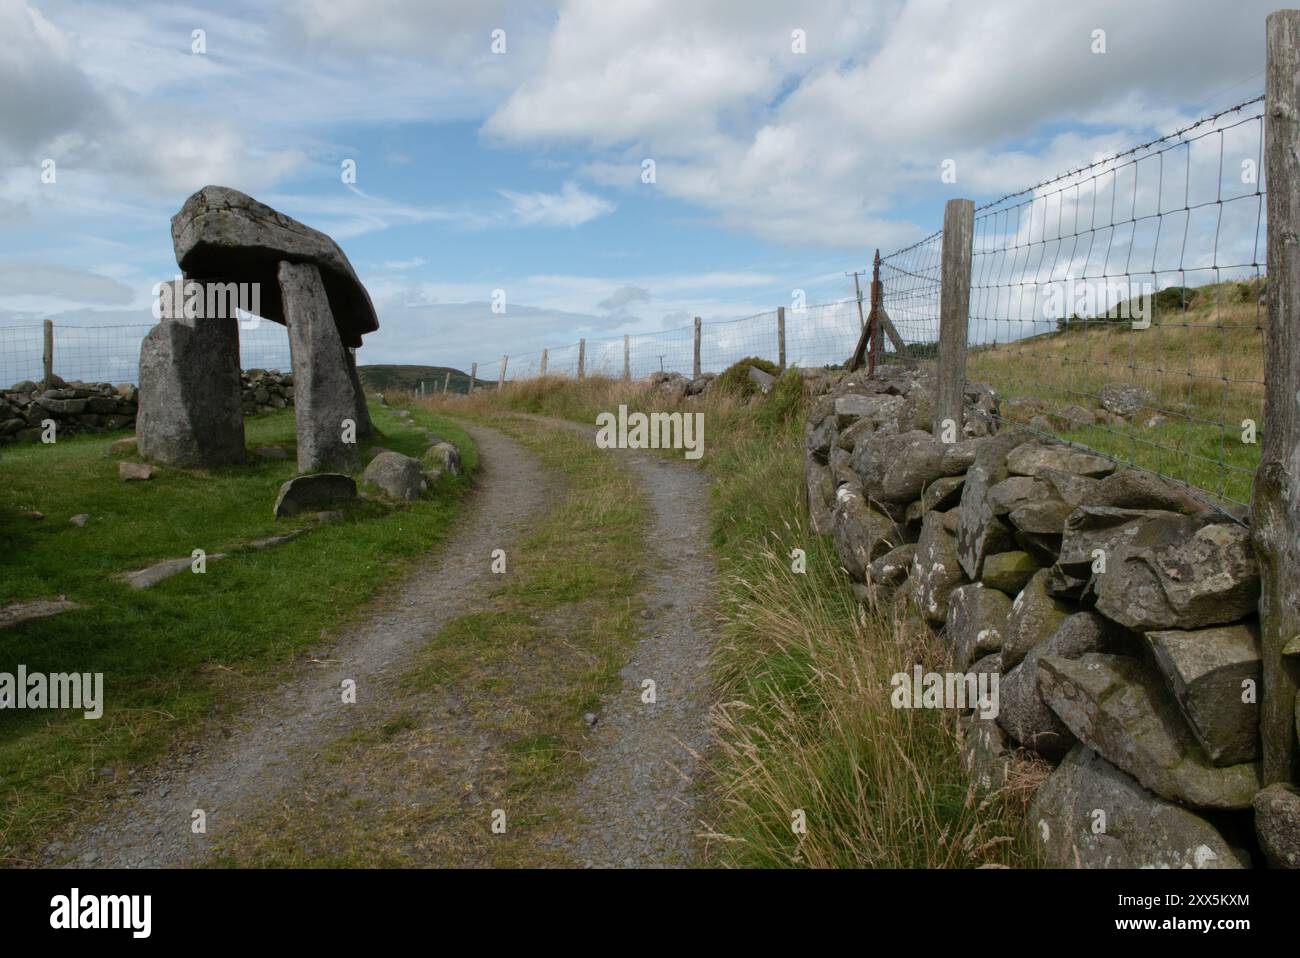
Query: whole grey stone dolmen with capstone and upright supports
[[229, 246]]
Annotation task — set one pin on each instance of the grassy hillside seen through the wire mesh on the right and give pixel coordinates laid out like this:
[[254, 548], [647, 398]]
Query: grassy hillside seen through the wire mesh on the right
[[1203, 365]]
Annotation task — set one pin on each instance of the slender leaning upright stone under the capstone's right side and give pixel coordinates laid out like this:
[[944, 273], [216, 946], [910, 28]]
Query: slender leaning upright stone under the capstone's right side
[[324, 398]]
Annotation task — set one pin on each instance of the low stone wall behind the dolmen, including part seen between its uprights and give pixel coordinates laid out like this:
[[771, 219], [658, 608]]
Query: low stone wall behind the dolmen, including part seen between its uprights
[[103, 408]]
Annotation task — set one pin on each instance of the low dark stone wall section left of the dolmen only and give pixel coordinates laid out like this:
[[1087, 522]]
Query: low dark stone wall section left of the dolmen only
[[75, 408]]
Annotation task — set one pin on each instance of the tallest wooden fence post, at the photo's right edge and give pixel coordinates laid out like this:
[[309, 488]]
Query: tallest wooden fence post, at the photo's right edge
[[1276, 506]]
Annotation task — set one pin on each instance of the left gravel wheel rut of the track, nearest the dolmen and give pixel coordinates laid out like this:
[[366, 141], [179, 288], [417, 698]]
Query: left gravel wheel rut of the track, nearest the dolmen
[[275, 742]]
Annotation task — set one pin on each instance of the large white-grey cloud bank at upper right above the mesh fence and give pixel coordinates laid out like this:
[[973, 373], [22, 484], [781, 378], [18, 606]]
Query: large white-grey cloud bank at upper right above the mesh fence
[[834, 146]]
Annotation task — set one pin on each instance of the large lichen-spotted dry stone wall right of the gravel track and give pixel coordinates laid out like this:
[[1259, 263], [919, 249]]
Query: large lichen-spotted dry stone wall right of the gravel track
[[1117, 610]]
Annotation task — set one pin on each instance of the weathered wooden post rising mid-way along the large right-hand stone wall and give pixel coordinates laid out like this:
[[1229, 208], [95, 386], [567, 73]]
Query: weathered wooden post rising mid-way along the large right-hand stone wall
[[955, 302]]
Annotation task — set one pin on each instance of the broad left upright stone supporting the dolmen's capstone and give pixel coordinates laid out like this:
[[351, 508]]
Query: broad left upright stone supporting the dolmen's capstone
[[189, 400]]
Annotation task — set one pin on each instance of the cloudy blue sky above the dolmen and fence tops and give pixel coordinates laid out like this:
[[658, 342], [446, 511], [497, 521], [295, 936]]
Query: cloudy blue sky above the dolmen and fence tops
[[508, 146]]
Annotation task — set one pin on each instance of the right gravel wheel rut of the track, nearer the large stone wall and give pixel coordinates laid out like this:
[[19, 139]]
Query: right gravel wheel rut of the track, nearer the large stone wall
[[638, 805]]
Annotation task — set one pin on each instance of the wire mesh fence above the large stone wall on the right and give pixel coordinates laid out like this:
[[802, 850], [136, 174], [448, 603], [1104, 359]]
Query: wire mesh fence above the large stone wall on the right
[[1121, 306]]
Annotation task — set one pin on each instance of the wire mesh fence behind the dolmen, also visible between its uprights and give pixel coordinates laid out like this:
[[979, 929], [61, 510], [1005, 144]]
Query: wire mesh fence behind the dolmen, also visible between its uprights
[[112, 354]]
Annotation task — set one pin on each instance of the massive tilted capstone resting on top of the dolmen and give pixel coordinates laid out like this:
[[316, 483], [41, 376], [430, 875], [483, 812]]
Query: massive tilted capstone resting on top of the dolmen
[[227, 236]]
